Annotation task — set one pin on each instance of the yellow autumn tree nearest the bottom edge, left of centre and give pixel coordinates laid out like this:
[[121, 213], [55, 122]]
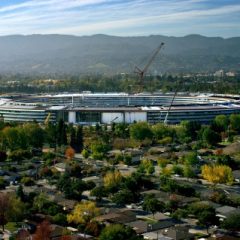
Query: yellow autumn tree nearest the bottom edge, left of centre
[[83, 213]]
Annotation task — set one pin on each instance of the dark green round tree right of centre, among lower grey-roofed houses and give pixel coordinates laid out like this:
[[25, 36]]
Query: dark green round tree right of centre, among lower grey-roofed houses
[[151, 204]]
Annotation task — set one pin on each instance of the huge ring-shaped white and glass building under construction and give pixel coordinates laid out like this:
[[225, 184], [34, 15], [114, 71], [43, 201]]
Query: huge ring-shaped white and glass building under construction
[[105, 108]]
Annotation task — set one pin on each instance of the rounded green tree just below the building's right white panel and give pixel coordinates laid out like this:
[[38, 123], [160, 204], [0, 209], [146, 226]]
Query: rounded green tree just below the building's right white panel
[[140, 131]]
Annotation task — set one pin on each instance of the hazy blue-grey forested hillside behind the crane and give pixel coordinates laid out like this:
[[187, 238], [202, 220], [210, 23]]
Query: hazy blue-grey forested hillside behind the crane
[[108, 54]]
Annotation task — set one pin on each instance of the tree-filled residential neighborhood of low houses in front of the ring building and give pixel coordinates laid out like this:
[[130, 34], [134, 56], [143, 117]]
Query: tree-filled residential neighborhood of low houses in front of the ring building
[[145, 181]]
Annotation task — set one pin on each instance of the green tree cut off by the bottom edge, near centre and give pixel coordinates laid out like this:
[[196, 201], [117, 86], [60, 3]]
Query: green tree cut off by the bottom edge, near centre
[[119, 232]]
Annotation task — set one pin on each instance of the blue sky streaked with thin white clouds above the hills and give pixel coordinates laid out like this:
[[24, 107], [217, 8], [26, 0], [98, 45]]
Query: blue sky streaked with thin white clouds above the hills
[[122, 18]]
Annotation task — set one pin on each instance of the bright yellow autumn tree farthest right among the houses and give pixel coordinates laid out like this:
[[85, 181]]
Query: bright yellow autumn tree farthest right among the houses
[[217, 174]]
